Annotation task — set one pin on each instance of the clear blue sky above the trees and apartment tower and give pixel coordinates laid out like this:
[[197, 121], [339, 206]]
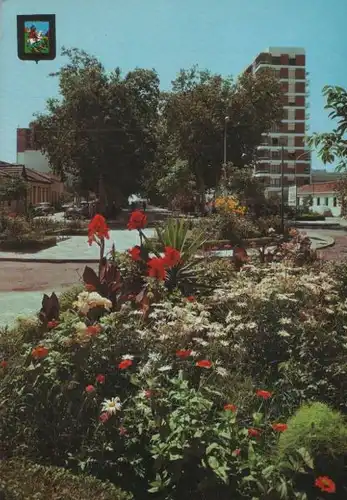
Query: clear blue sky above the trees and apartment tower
[[221, 35]]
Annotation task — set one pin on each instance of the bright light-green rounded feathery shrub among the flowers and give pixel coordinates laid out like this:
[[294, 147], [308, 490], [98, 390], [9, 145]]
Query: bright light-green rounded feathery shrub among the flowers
[[317, 428]]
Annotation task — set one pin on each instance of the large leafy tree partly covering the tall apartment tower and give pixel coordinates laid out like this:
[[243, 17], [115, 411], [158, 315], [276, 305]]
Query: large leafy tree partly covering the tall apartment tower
[[194, 112]]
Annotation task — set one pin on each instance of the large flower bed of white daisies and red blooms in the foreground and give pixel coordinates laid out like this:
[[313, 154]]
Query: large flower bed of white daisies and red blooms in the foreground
[[178, 378]]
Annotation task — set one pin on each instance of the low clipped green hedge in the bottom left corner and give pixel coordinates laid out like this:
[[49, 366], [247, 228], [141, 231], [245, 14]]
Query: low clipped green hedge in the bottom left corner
[[20, 480]]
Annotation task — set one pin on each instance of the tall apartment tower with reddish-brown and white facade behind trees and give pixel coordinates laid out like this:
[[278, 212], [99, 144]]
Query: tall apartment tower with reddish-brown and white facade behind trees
[[289, 65]]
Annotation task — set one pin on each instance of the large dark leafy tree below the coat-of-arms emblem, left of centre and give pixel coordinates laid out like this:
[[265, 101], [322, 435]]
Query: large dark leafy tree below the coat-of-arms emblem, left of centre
[[102, 130]]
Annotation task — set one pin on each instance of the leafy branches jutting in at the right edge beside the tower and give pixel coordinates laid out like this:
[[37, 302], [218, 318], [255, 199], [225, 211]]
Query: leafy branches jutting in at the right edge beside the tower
[[333, 145]]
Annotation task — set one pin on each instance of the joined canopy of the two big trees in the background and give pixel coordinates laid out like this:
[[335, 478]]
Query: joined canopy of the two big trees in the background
[[118, 135]]
